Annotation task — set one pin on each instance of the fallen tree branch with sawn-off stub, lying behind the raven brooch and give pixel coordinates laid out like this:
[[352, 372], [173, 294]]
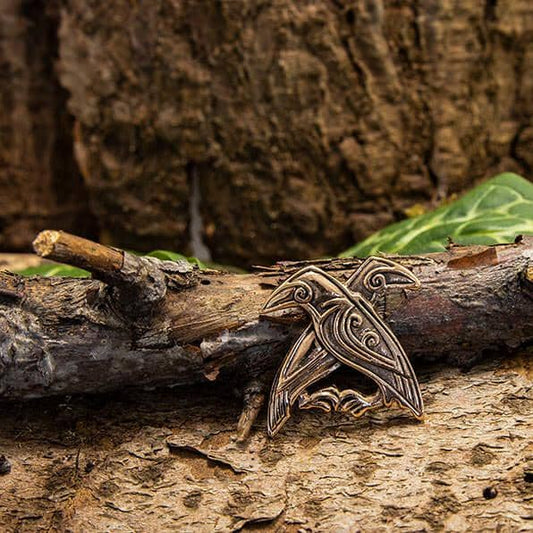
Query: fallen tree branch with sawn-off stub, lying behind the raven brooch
[[145, 322]]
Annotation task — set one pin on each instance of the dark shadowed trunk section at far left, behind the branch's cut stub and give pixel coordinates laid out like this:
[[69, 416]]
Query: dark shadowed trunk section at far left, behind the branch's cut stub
[[40, 185]]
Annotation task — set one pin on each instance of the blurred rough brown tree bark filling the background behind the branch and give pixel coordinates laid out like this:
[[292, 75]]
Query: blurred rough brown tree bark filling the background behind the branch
[[306, 125]]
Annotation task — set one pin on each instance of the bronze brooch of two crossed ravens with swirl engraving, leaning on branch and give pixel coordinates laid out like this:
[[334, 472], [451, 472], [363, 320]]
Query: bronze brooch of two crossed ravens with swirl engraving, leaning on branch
[[345, 328]]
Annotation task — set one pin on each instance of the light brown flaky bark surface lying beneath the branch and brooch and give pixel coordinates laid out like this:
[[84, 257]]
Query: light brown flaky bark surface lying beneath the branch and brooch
[[166, 461]]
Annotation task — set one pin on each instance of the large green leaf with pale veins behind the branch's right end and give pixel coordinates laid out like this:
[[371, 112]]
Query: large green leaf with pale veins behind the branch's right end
[[494, 212]]
